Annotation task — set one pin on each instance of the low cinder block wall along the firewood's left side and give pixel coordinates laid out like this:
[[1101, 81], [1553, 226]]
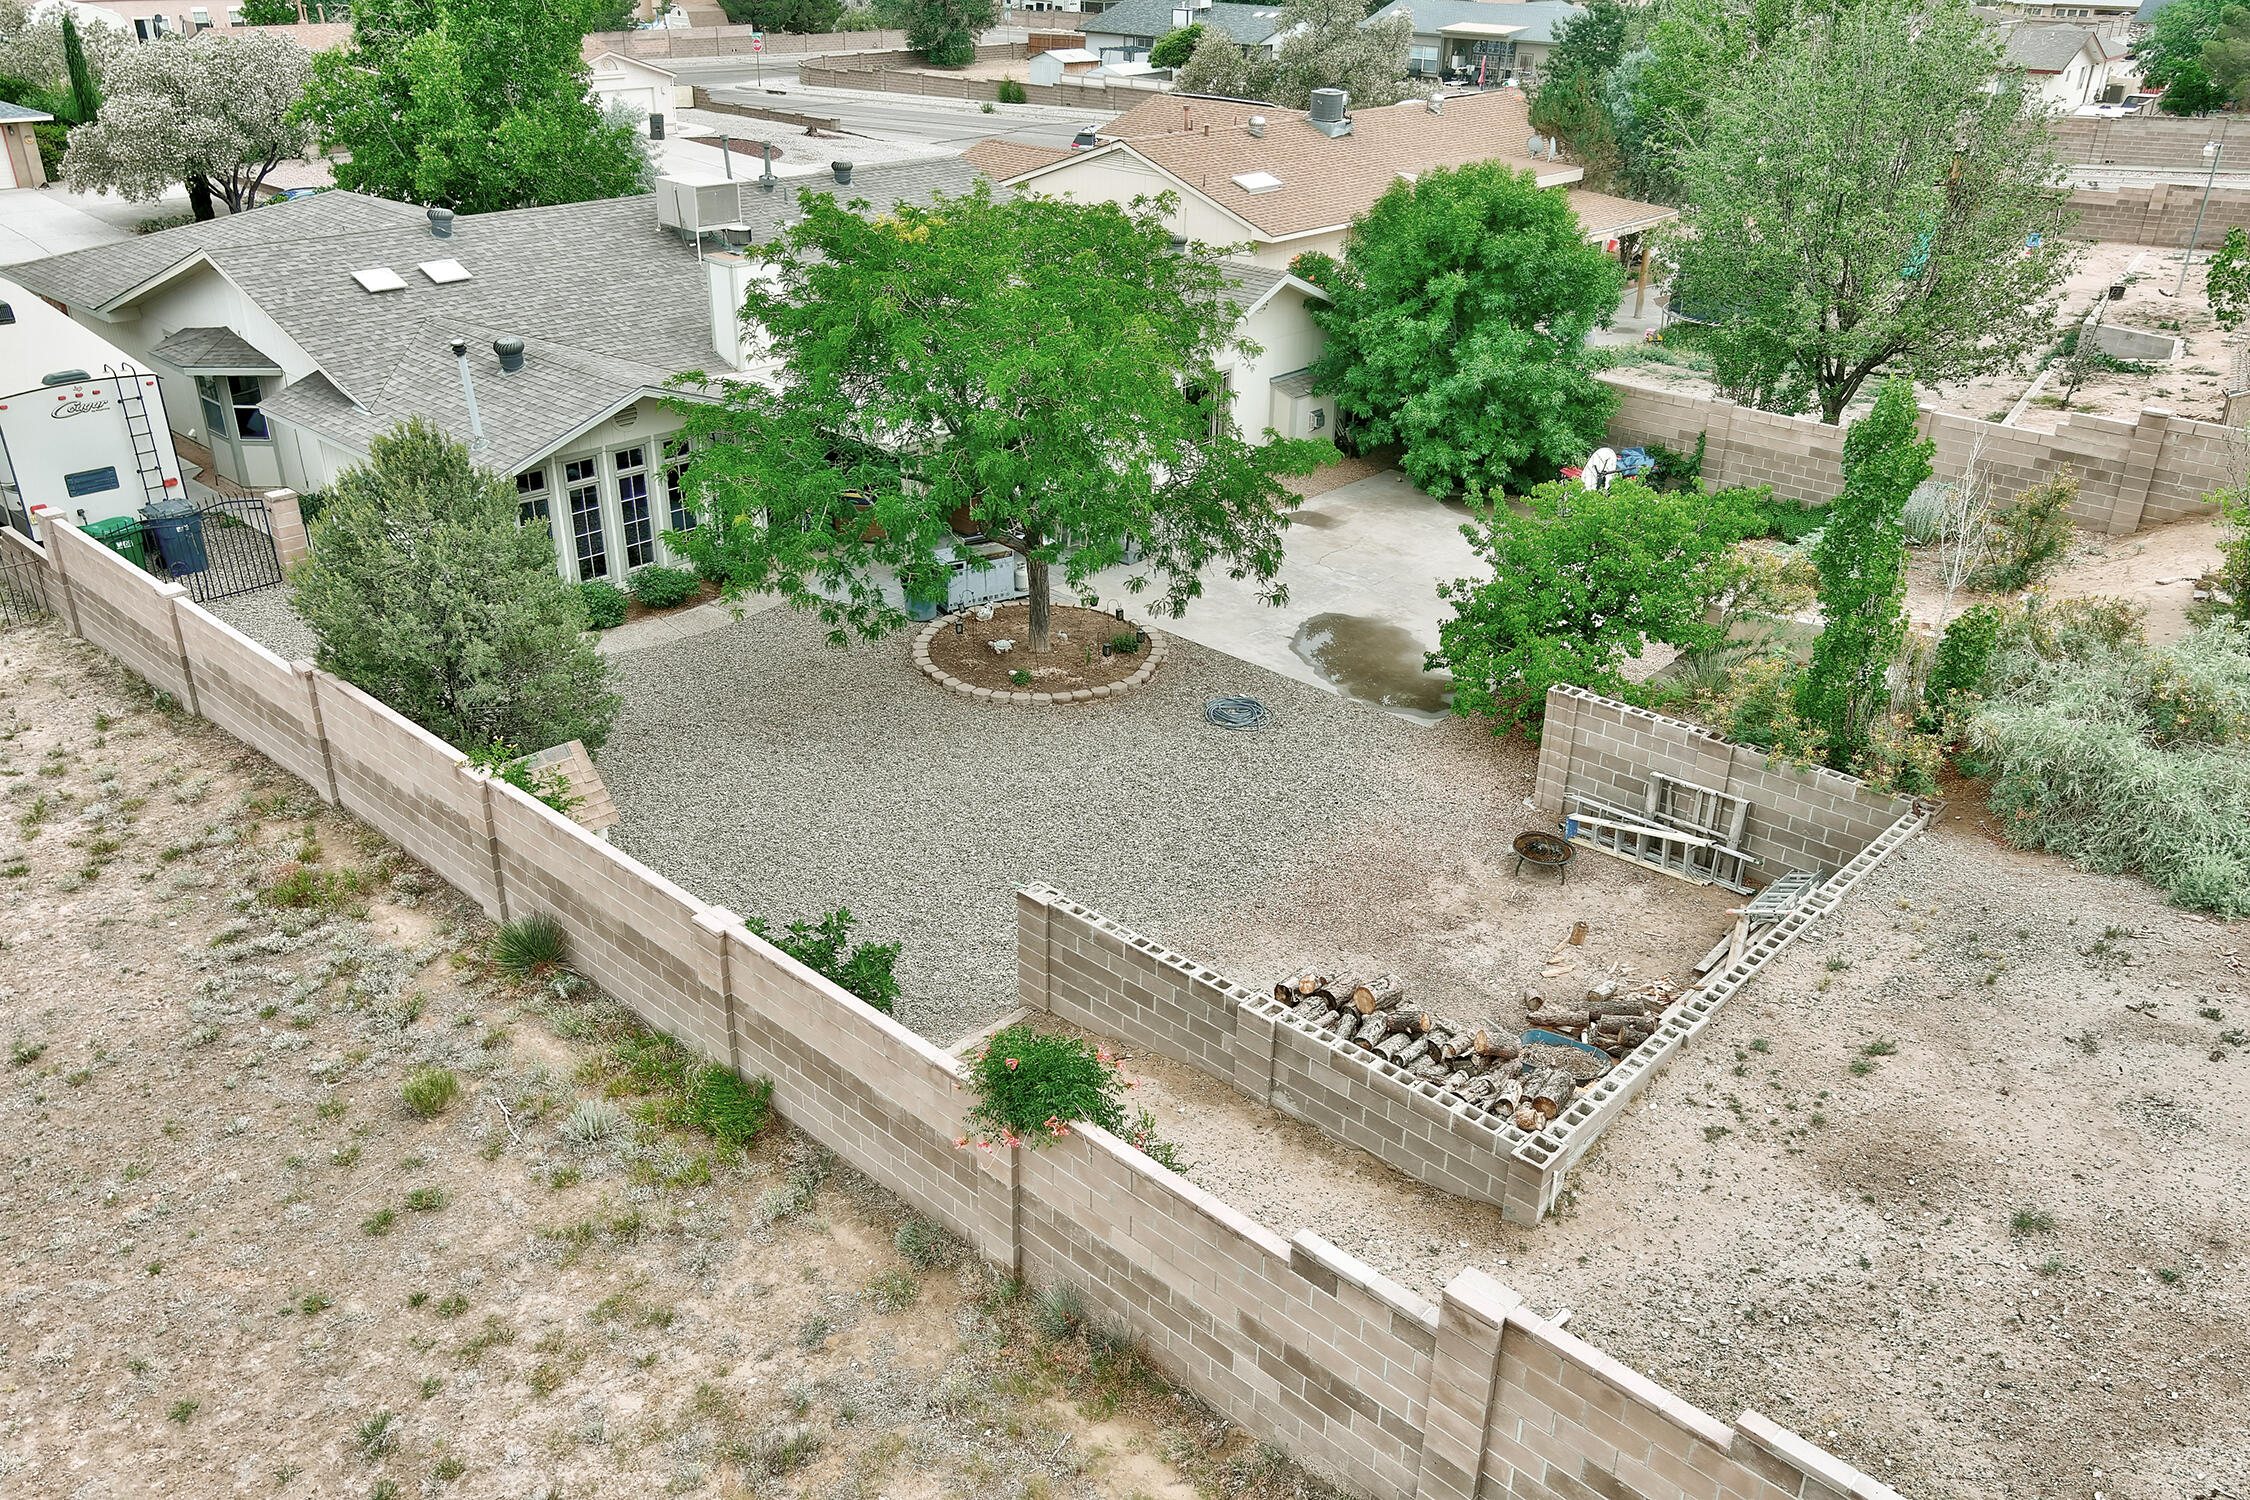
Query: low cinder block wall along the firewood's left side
[[1092, 973]]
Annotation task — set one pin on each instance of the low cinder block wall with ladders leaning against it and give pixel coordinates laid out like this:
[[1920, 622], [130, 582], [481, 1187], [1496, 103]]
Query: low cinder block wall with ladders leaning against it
[[1799, 820]]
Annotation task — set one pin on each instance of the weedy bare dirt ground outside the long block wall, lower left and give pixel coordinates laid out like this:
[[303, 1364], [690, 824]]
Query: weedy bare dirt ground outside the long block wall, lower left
[[237, 1263]]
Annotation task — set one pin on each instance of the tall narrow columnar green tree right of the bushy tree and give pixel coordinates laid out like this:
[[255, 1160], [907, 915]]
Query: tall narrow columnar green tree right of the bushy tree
[[1862, 561]]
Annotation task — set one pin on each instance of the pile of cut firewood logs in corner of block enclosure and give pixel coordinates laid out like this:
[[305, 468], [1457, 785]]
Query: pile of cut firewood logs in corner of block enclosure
[[1493, 1074]]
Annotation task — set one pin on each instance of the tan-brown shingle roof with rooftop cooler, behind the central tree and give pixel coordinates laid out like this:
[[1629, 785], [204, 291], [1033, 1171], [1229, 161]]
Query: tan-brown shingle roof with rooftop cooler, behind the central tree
[[1324, 181]]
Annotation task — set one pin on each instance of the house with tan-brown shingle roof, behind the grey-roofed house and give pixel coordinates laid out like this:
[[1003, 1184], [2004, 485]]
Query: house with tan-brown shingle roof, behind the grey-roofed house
[[1284, 183]]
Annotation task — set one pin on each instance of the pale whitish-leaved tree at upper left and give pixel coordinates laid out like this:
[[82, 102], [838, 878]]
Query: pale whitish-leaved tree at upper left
[[213, 111]]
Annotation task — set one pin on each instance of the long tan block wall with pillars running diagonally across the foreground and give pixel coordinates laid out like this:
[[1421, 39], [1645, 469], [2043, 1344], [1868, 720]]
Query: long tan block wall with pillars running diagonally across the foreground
[[1293, 1339]]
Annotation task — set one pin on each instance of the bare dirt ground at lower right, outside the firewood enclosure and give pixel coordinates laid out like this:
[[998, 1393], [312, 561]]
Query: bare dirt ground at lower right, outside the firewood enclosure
[[1959, 1189]]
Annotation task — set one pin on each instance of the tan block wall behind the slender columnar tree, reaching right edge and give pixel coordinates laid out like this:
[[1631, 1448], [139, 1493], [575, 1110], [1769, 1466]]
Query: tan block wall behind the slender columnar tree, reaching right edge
[[2132, 473]]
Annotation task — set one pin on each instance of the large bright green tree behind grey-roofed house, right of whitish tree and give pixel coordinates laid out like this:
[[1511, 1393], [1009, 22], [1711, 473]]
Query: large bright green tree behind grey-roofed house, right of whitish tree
[[478, 105]]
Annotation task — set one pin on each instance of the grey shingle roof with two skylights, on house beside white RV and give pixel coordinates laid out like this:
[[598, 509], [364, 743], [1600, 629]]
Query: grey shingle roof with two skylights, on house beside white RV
[[604, 300]]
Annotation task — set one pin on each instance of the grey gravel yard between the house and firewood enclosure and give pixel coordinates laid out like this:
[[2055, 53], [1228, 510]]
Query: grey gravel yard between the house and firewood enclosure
[[782, 777]]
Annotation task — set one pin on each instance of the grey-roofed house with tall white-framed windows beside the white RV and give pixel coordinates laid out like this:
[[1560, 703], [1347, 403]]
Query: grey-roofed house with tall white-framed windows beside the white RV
[[291, 336]]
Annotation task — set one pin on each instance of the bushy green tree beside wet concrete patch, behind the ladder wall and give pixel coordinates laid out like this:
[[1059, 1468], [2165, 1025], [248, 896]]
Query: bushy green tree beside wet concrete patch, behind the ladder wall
[[1581, 586]]
